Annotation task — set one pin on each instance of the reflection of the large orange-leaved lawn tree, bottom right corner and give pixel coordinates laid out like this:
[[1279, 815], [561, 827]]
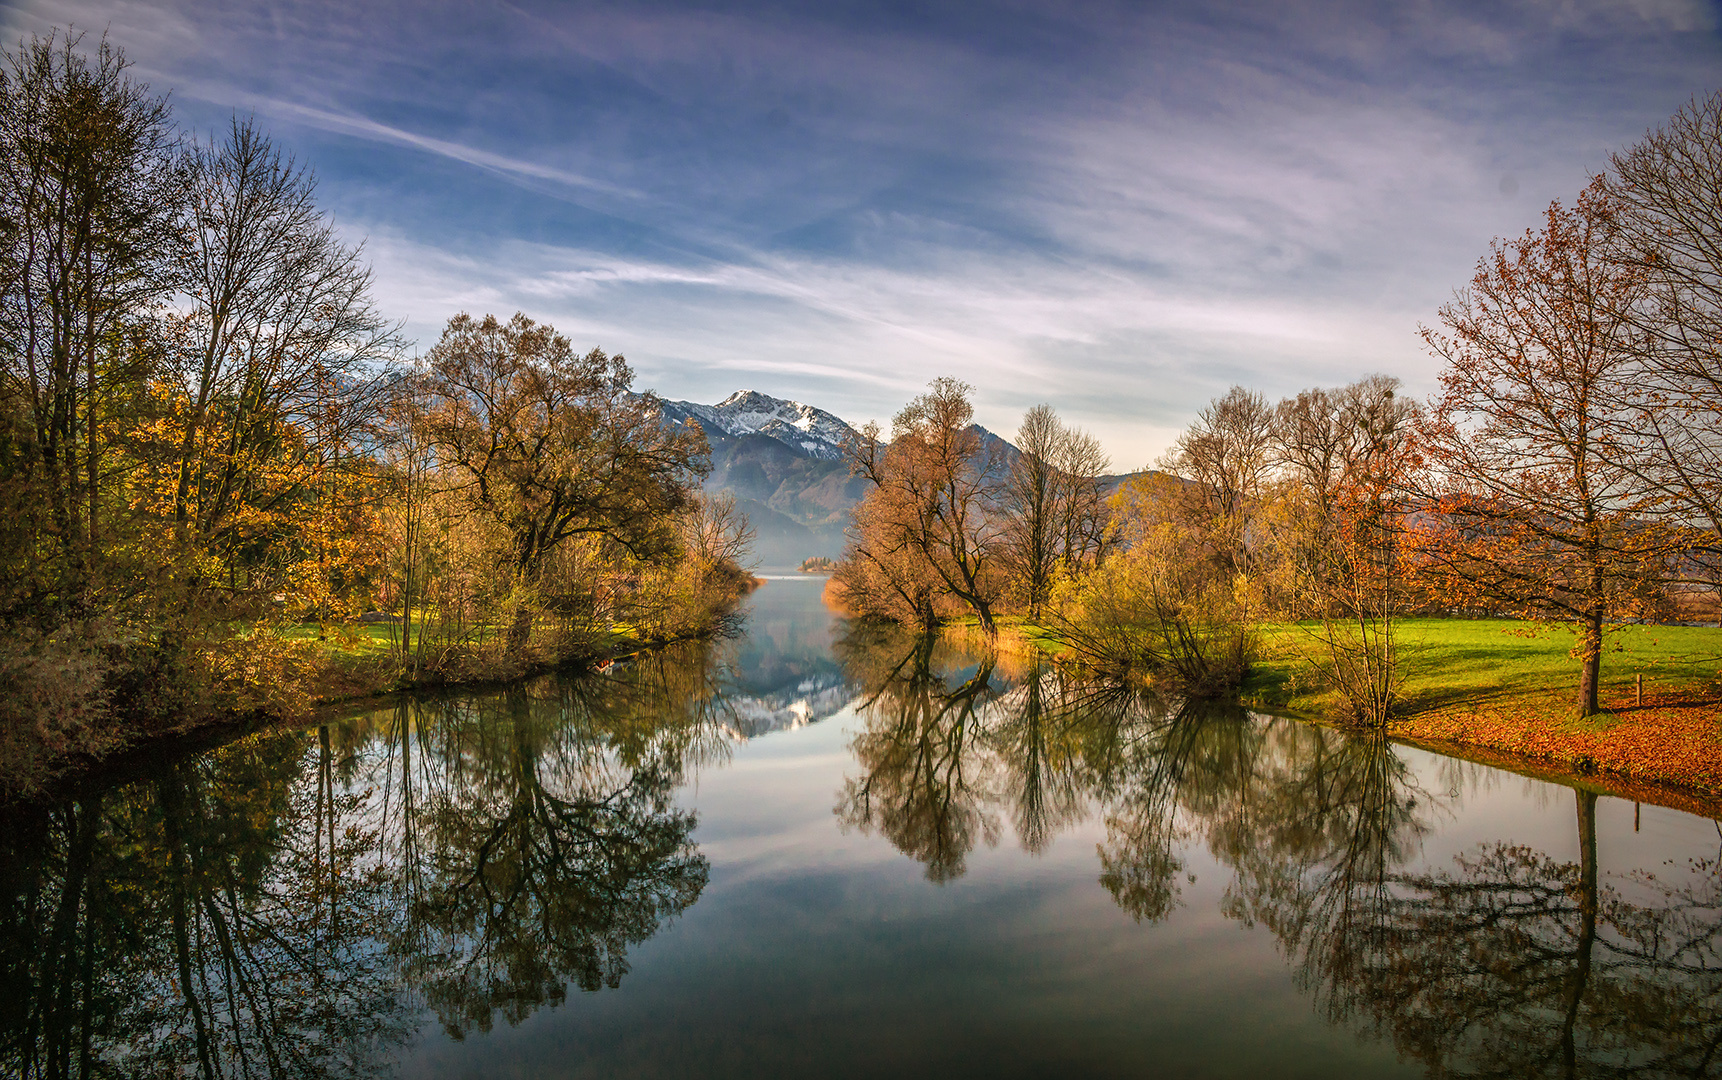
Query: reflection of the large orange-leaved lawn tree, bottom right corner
[[1521, 965]]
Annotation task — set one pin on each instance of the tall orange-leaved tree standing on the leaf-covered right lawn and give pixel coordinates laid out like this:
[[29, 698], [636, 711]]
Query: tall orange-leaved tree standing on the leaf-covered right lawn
[[1537, 506]]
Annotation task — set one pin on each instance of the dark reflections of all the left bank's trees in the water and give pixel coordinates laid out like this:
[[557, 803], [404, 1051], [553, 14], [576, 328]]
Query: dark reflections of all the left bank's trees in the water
[[287, 905]]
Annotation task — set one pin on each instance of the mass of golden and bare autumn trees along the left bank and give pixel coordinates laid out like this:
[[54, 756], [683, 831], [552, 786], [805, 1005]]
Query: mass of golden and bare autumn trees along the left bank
[[209, 433]]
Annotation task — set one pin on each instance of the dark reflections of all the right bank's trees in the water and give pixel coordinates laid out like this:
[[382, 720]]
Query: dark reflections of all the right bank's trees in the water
[[1513, 965]]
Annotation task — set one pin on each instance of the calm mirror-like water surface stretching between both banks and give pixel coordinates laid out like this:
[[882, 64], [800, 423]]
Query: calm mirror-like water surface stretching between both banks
[[821, 850]]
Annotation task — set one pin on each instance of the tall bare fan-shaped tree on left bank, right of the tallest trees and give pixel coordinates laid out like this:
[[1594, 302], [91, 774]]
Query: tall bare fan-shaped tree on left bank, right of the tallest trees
[[280, 354]]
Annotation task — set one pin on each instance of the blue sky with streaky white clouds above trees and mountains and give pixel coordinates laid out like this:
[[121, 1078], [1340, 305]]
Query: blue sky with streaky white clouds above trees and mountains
[[1117, 209]]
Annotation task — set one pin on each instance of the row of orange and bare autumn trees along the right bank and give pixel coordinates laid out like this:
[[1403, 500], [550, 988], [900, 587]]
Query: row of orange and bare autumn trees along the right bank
[[1568, 471]]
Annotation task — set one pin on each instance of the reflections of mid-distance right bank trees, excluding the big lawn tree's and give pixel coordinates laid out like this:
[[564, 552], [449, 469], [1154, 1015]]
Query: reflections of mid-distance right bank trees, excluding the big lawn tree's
[[950, 748]]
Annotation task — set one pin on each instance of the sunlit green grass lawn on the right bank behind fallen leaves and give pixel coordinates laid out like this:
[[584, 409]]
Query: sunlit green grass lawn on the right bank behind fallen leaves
[[1490, 661]]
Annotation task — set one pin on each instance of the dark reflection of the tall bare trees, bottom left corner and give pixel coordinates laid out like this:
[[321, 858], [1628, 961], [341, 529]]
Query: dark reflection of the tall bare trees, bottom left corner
[[225, 917]]
